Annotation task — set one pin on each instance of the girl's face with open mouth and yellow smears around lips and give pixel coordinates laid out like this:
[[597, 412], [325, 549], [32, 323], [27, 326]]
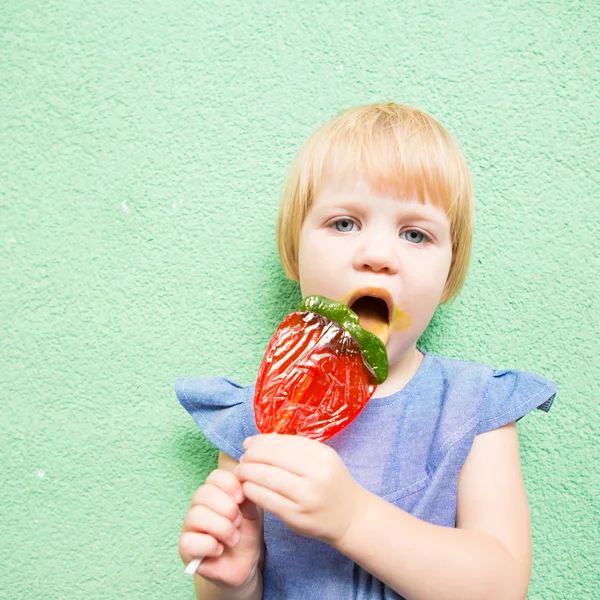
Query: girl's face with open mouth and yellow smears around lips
[[357, 243]]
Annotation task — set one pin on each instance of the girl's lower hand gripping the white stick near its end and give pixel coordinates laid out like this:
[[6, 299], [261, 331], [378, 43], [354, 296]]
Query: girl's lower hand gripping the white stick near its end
[[223, 528]]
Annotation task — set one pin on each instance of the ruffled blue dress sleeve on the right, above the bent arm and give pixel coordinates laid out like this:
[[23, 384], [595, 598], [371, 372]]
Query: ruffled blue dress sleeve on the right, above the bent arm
[[511, 395]]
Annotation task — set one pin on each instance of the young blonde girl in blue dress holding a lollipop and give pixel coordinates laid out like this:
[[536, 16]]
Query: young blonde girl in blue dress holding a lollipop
[[421, 496]]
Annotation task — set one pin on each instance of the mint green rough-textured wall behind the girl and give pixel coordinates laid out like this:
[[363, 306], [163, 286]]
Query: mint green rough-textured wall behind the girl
[[142, 150]]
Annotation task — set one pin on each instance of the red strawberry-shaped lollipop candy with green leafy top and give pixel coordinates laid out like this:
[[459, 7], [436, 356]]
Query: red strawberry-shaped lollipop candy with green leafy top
[[319, 371]]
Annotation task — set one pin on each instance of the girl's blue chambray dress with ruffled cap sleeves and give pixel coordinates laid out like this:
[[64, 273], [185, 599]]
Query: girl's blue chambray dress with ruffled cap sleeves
[[423, 435]]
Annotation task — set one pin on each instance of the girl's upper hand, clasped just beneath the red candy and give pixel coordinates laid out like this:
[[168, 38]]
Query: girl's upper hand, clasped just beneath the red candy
[[303, 482]]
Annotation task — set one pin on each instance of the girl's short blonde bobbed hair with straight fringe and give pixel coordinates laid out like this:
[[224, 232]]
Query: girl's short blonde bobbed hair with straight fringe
[[400, 150]]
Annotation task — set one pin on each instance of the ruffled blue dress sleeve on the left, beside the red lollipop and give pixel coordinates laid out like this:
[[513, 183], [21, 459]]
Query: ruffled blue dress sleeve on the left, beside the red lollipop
[[222, 409]]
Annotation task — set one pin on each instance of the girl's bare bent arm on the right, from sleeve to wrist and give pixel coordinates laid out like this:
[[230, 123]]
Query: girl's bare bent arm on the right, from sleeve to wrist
[[488, 555]]
